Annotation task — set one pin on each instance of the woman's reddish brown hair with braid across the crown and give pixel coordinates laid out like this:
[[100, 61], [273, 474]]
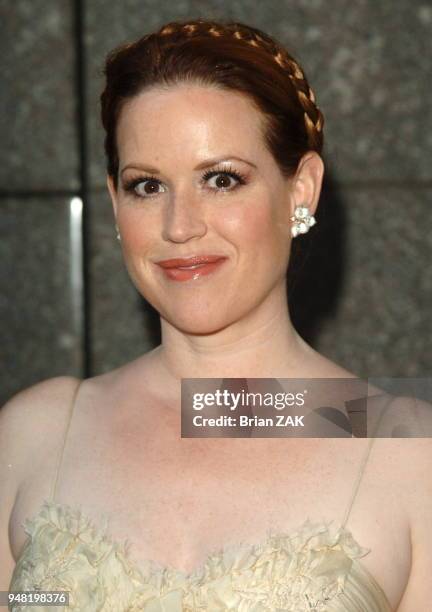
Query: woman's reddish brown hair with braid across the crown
[[223, 54]]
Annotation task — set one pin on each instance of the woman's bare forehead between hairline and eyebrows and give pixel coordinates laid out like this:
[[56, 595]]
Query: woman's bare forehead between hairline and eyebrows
[[192, 121]]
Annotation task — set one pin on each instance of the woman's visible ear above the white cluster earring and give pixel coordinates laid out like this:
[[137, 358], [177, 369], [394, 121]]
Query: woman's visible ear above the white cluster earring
[[307, 182]]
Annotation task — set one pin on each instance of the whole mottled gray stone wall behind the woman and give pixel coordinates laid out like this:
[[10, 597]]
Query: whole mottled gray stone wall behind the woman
[[365, 291]]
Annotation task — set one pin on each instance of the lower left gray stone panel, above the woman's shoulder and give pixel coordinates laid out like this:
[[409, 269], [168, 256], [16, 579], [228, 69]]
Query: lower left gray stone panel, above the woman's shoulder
[[39, 334]]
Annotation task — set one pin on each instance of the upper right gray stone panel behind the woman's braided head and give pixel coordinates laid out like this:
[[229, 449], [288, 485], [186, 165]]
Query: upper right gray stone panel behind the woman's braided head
[[367, 62]]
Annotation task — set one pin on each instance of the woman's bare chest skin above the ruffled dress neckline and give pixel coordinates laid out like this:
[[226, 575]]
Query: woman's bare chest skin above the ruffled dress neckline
[[178, 500]]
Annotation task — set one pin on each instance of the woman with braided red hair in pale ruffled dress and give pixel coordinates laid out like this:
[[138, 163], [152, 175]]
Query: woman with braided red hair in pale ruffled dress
[[213, 141]]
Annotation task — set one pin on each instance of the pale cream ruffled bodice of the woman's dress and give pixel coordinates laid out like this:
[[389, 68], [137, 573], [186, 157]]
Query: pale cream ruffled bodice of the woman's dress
[[295, 572]]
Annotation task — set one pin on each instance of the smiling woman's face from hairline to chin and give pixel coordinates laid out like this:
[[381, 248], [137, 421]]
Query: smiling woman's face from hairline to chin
[[179, 212]]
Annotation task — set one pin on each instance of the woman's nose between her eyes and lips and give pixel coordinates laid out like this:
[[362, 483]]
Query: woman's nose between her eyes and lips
[[184, 219]]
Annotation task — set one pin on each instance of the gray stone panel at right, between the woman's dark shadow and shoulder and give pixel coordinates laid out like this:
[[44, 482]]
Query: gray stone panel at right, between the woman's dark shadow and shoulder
[[382, 325]]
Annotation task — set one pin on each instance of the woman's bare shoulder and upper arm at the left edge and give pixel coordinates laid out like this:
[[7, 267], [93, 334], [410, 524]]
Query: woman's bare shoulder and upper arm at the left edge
[[26, 421]]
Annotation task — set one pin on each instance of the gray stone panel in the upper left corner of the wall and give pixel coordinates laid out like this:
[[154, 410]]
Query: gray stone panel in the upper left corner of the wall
[[37, 99]]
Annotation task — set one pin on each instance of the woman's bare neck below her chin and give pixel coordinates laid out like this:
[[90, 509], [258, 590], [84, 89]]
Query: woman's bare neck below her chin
[[264, 344]]
